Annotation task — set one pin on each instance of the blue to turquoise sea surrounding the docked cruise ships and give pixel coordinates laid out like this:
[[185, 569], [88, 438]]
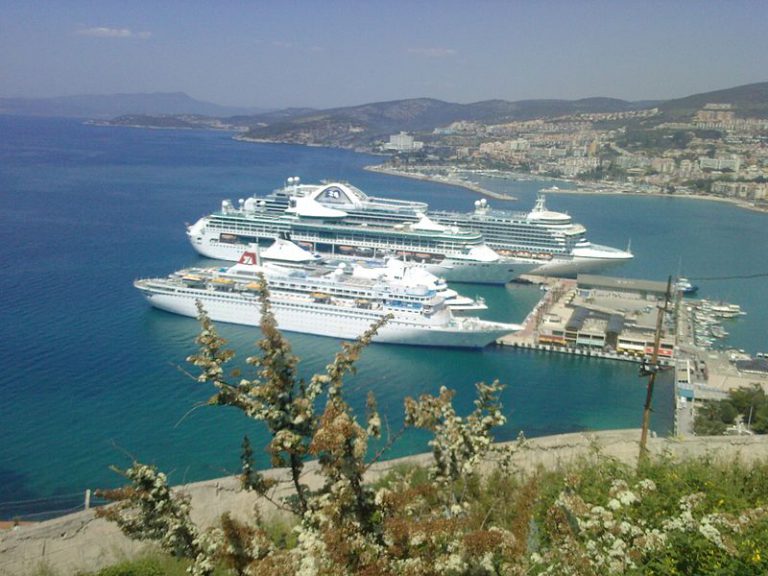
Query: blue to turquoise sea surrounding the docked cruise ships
[[93, 378]]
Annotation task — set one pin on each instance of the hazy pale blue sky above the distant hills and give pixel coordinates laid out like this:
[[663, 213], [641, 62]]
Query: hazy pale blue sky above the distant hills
[[326, 53]]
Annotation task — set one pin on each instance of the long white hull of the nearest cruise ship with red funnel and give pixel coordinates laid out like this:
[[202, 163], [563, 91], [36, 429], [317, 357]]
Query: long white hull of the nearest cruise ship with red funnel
[[328, 320]]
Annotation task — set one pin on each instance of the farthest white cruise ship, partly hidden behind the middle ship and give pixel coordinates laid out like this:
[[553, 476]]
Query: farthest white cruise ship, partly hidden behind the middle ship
[[548, 242]]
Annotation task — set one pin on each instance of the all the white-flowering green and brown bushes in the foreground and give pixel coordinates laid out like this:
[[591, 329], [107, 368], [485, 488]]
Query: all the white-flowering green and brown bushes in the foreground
[[597, 518]]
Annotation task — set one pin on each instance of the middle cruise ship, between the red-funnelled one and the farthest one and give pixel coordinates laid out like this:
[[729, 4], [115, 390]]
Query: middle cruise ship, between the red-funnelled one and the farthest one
[[448, 251]]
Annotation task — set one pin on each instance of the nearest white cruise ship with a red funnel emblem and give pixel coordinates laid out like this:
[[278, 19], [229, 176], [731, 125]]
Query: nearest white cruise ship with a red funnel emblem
[[340, 303]]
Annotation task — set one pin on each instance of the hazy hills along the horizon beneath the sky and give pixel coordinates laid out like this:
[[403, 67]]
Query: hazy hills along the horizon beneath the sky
[[354, 126]]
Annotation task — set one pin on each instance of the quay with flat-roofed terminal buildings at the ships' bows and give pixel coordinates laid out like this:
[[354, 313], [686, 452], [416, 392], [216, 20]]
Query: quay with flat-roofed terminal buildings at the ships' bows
[[615, 319]]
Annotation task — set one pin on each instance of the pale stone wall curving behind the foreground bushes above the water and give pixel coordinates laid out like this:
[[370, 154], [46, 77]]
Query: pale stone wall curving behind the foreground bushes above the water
[[81, 542]]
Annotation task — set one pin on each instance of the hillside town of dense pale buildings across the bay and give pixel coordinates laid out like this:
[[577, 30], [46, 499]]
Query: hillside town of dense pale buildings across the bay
[[715, 152]]
